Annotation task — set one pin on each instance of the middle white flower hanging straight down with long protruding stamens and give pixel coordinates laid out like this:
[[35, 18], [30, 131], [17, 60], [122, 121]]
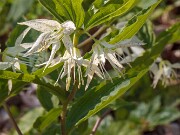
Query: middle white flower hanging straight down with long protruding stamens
[[72, 62]]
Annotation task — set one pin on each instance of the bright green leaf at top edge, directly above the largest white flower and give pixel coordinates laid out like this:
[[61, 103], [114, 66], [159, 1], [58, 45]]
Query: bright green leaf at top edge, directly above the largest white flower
[[65, 10]]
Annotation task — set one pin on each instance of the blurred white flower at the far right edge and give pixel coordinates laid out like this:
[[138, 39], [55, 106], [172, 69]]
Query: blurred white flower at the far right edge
[[164, 71]]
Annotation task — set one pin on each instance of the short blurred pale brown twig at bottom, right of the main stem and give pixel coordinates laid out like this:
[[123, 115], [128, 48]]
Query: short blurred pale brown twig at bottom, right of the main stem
[[98, 122]]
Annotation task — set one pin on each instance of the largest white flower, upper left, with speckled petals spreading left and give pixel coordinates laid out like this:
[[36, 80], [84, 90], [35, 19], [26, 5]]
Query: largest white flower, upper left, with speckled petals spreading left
[[52, 33]]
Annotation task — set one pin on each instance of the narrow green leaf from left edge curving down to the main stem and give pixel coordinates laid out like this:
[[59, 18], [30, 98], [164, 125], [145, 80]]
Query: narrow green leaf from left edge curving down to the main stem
[[56, 90]]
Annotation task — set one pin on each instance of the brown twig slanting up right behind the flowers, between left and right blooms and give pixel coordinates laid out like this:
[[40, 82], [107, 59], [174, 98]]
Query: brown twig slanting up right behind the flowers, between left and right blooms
[[90, 38]]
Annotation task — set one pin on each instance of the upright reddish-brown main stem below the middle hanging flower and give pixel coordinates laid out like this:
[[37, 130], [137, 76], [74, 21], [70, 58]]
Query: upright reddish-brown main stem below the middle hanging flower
[[64, 111]]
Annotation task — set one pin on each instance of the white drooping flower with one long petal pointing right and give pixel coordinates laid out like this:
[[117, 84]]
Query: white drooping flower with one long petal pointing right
[[103, 51]]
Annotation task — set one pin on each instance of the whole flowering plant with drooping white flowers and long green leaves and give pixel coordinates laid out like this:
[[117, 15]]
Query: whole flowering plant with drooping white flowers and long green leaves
[[67, 59]]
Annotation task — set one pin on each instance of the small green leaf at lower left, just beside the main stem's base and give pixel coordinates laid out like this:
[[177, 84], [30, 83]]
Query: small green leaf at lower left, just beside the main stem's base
[[44, 121]]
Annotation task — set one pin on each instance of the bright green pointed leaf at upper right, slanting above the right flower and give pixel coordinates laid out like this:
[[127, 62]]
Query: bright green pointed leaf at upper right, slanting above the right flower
[[134, 25]]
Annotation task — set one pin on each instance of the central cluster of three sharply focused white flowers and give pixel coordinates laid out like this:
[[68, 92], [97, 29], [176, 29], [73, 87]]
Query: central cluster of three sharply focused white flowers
[[53, 33]]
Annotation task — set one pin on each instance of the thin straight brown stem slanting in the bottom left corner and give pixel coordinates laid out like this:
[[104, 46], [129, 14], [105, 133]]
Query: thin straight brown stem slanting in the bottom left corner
[[12, 118]]
